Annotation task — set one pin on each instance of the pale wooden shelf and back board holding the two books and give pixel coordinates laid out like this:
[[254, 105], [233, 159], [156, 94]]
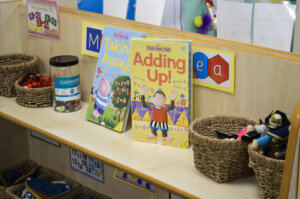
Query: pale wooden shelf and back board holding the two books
[[266, 79]]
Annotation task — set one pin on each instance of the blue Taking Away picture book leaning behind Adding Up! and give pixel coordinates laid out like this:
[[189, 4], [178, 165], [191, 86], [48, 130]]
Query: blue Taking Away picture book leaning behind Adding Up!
[[109, 102]]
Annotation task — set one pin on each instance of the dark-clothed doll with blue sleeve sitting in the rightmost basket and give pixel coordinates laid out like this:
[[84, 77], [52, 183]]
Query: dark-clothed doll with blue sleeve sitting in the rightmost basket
[[274, 133]]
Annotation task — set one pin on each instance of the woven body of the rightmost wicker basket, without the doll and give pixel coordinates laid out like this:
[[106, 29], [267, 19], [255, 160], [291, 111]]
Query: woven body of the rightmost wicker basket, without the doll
[[268, 172]]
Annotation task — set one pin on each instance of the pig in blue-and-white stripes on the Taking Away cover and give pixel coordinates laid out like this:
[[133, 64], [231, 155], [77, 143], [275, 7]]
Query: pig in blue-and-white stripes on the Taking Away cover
[[101, 97]]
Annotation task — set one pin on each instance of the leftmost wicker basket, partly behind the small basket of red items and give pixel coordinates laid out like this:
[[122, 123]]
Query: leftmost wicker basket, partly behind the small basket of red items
[[12, 67]]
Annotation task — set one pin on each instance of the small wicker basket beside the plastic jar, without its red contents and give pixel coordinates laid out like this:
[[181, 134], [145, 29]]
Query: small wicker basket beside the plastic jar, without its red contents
[[33, 97]]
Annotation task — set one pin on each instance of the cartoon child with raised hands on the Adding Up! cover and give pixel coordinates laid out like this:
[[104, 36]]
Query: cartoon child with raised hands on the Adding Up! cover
[[159, 114]]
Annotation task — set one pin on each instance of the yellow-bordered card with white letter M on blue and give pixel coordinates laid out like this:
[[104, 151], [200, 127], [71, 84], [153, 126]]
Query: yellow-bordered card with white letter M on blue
[[91, 38]]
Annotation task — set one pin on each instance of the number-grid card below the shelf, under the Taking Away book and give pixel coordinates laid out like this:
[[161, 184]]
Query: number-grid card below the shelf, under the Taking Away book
[[87, 165]]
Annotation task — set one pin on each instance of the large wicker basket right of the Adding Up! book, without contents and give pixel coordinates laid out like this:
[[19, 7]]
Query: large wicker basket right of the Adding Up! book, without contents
[[221, 160]]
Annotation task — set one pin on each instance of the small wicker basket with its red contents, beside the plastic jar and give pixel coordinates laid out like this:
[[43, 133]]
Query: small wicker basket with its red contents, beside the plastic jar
[[34, 91]]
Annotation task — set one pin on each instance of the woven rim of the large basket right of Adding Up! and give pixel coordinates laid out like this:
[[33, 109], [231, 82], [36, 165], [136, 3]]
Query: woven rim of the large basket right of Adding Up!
[[215, 140]]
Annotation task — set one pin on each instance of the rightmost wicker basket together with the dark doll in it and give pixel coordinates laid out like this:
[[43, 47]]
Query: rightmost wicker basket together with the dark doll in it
[[267, 152]]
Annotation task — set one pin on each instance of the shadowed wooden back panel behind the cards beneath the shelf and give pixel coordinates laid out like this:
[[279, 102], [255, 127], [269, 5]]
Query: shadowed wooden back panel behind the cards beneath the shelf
[[58, 160]]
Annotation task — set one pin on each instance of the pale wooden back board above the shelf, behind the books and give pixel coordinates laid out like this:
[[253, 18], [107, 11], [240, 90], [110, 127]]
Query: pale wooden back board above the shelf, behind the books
[[264, 80]]
